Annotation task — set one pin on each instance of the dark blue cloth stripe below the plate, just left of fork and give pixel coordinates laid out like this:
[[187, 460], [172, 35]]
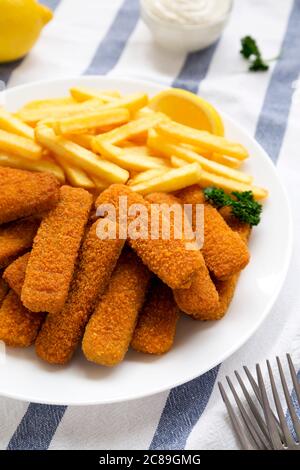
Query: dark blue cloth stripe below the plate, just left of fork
[[184, 406]]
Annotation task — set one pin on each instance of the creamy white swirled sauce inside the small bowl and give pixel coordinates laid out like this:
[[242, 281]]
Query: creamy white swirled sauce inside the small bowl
[[189, 12]]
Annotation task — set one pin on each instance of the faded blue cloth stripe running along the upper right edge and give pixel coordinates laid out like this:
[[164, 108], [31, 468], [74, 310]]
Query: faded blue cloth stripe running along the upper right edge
[[273, 120]]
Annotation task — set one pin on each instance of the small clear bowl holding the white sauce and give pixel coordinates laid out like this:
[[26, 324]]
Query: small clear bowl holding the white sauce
[[183, 38]]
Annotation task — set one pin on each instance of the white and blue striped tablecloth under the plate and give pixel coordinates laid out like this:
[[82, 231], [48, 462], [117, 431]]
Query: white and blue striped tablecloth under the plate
[[108, 37]]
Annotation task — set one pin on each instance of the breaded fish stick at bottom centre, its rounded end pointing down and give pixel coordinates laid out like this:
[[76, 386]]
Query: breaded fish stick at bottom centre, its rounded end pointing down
[[109, 332]]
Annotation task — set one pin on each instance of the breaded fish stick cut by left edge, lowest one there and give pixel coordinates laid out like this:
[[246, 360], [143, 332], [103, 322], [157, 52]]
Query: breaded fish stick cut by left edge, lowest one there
[[18, 326]]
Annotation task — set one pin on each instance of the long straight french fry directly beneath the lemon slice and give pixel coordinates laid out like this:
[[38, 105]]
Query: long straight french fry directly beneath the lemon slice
[[184, 134]]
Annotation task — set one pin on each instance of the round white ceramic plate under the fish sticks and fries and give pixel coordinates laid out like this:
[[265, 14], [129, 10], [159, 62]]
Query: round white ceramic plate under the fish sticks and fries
[[198, 346]]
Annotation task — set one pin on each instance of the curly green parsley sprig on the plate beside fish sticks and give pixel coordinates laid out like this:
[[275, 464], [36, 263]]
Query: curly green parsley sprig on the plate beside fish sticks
[[243, 205]]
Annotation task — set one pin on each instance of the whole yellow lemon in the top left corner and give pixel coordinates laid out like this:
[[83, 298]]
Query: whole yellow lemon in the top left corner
[[21, 22]]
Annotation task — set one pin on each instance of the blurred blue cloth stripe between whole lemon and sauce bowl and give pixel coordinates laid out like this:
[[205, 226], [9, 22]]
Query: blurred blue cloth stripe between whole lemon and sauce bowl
[[114, 42]]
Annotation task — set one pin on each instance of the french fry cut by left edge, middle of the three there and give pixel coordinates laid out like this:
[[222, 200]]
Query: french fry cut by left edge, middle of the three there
[[20, 146]]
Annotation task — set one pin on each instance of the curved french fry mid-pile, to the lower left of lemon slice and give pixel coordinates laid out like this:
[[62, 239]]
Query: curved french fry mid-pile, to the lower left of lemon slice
[[125, 159]]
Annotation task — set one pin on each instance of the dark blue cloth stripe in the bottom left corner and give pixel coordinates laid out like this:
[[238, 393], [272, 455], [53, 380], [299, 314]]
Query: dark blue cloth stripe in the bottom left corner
[[37, 427]]
